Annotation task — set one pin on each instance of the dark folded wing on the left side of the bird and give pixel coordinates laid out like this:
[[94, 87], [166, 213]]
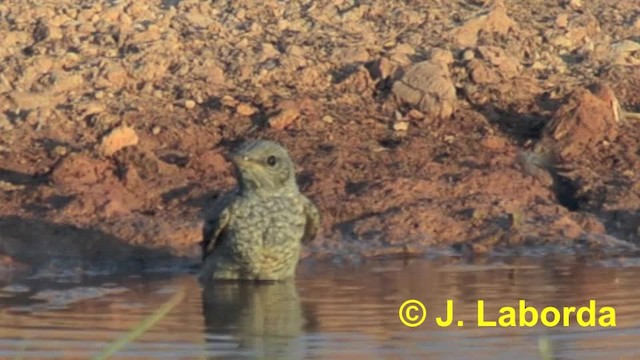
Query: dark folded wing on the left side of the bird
[[215, 222]]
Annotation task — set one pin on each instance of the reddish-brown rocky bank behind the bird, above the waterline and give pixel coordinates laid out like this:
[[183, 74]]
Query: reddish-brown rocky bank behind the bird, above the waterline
[[415, 124]]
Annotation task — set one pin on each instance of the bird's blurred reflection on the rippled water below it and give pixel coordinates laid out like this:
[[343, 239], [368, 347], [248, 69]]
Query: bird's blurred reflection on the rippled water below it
[[266, 319]]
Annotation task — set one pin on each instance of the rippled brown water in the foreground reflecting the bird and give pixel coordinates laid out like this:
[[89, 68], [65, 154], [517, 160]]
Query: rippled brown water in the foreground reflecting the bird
[[331, 311]]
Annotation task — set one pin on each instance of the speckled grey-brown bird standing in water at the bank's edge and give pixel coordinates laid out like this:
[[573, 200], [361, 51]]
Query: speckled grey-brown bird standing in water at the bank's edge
[[256, 231]]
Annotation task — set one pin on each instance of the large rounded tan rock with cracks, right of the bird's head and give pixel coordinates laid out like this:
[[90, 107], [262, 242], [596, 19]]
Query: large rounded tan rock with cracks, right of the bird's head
[[428, 86]]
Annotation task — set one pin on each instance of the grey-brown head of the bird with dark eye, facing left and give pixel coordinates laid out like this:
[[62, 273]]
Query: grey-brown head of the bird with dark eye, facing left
[[264, 167]]
